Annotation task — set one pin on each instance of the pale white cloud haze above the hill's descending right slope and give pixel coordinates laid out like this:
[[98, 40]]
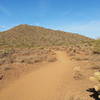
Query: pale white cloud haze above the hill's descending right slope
[[91, 29]]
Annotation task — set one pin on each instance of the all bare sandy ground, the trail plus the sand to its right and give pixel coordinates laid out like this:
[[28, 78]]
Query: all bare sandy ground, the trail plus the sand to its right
[[53, 81]]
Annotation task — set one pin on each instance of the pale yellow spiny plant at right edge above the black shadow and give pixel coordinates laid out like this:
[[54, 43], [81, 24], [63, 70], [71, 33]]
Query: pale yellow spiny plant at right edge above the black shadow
[[96, 79]]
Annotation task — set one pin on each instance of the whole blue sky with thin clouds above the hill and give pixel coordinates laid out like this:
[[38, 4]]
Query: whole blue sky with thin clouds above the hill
[[77, 16]]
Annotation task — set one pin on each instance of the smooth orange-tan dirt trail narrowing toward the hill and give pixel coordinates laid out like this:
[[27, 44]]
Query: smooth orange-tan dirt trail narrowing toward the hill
[[46, 83]]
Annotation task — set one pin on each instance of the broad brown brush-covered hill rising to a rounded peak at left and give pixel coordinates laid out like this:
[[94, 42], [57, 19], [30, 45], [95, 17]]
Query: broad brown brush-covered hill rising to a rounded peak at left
[[30, 36]]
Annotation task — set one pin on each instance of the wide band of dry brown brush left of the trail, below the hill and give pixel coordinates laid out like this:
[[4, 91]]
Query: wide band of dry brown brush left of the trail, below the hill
[[28, 56]]
